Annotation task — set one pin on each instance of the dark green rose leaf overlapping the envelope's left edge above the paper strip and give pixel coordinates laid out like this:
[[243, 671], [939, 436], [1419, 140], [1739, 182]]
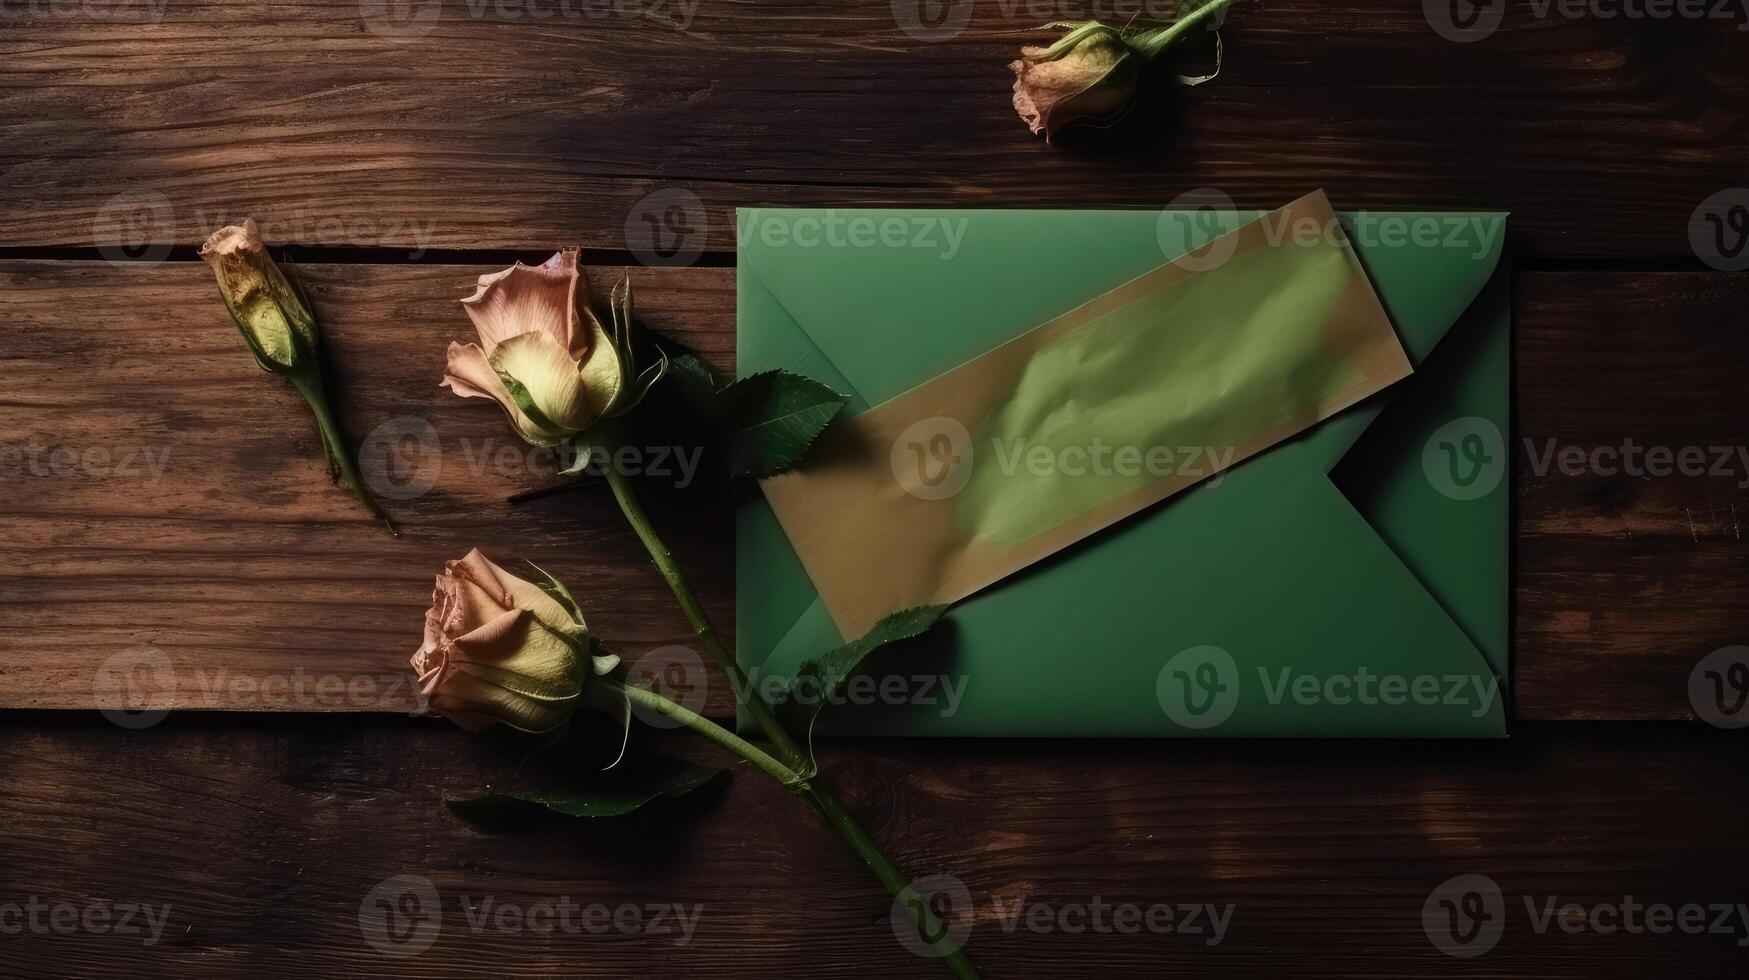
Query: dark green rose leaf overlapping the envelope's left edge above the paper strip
[[774, 419]]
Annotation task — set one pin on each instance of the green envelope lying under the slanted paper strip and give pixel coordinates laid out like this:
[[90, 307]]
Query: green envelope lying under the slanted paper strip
[[1351, 582]]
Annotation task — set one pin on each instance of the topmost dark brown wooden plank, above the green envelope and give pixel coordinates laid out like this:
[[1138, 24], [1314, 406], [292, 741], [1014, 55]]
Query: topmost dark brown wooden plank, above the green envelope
[[134, 122]]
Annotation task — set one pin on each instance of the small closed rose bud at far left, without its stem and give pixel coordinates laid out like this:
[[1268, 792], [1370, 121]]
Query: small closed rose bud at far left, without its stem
[[275, 321]]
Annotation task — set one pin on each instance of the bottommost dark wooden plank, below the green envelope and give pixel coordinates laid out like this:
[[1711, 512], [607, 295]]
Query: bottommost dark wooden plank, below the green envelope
[[265, 841]]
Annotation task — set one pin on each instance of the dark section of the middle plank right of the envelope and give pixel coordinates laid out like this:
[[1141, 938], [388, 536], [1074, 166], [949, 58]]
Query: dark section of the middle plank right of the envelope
[[1629, 578]]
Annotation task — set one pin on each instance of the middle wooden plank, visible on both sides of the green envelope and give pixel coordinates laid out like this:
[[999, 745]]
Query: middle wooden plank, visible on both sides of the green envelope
[[242, 566]]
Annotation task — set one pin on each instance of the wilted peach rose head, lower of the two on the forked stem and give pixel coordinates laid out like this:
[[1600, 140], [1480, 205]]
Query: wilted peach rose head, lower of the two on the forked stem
[[501, 650]]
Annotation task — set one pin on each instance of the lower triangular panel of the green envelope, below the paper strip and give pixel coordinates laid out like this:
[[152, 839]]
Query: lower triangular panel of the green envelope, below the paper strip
[[1323, 626]]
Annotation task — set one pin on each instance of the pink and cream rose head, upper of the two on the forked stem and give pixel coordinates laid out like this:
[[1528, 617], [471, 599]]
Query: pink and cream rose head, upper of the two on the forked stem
[[545, 356]]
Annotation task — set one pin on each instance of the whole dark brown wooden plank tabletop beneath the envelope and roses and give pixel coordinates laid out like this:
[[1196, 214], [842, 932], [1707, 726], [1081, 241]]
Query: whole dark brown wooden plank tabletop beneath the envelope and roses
[[162, 496]]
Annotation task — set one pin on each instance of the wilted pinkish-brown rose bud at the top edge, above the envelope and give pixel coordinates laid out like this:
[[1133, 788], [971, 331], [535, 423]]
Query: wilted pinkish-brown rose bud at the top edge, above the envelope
[[1087, 76]]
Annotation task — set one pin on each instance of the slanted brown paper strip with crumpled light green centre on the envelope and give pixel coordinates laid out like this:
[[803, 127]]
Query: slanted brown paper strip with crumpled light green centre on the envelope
[[1089, 419]]
